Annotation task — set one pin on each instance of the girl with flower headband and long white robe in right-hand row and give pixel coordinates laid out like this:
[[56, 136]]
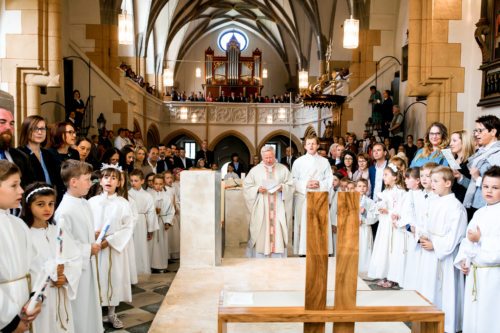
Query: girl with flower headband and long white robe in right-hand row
[[387, 261]]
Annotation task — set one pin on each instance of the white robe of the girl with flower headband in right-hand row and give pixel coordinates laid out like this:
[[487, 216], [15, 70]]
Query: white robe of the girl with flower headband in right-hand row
[[382, 246]]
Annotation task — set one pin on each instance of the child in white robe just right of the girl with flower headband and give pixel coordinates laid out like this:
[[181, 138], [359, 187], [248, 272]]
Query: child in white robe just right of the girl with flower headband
[[411, 215]]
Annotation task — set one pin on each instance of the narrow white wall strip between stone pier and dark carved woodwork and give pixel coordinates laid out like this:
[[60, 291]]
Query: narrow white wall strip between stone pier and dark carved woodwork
[[471, 60]]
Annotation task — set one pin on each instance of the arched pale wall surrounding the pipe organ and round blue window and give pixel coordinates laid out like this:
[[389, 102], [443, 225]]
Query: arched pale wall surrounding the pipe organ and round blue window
[[185, 76]]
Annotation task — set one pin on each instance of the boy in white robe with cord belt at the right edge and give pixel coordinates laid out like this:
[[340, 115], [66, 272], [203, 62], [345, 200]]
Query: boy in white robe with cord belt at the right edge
[[479, 258]]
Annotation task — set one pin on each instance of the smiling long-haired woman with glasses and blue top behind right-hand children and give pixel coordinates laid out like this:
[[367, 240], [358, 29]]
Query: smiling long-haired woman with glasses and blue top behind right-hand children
[[436, 139]]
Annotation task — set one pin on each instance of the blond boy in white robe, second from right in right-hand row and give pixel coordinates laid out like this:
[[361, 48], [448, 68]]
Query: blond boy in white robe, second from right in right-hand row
[[447, 225]]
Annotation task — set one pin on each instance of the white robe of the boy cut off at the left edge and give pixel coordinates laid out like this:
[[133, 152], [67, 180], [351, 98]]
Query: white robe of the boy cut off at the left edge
[[17, 254]]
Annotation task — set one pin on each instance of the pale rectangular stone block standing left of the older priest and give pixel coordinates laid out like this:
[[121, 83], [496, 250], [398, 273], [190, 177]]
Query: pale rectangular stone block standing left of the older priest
[[201, 232]]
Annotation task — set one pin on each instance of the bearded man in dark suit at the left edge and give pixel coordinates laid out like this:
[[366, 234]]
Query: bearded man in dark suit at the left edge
[[6, 135]]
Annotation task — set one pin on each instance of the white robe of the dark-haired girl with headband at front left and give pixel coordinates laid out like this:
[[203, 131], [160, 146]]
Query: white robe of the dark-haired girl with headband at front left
[[56, 315]]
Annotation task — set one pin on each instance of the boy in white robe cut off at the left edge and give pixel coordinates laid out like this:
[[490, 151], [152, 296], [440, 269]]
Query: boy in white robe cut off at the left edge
[[17, 255]]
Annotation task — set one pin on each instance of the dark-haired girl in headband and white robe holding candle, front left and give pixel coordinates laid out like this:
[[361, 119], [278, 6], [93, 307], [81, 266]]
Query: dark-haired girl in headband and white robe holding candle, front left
[[58, 257]]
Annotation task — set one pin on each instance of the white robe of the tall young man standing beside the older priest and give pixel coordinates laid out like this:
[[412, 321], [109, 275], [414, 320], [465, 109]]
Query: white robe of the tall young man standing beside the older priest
[[306, 168]]
